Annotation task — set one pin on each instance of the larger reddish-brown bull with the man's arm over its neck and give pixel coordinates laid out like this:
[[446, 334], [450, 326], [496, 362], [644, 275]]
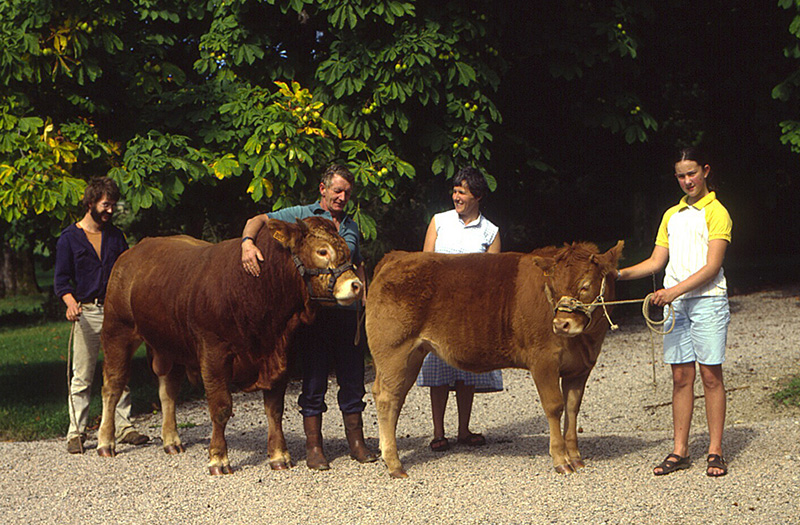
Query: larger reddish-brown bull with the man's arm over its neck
[[198, 311]]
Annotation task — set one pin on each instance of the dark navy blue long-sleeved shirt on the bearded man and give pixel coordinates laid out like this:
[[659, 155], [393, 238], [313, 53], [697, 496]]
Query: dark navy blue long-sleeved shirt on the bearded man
[[78, 269]]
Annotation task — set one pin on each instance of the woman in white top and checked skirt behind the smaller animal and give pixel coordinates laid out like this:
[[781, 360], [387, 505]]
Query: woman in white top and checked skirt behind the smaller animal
[[461, 230]]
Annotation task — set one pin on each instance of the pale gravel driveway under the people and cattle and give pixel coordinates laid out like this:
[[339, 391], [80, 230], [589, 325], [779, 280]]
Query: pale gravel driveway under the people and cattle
[[626, 429]]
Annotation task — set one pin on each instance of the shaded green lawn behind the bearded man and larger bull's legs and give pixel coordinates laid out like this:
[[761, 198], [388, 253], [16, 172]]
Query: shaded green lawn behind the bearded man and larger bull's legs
[[33, 375]]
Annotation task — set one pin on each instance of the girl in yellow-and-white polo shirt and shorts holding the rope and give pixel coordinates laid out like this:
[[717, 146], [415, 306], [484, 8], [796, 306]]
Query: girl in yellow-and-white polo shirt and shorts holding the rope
[[691, 244]]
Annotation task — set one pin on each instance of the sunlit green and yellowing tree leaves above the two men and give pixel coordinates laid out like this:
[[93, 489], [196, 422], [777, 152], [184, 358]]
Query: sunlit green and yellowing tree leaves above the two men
[[166, 94]]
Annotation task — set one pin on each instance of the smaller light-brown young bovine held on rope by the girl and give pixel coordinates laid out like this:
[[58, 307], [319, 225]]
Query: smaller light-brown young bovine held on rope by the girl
[[481, 312]]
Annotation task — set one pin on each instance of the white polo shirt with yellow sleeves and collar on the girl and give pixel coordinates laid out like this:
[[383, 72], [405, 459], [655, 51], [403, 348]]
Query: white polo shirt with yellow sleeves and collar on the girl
[[685, 231]]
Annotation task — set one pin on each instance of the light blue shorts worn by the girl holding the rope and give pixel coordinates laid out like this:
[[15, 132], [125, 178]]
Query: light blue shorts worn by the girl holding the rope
[[700, 333]]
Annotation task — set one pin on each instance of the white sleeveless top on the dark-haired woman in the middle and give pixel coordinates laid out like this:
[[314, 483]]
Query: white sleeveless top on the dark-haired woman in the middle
[[453, 236]]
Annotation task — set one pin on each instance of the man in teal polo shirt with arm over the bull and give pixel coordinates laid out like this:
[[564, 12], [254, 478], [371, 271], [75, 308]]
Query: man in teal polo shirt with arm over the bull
[[331, 340]]
